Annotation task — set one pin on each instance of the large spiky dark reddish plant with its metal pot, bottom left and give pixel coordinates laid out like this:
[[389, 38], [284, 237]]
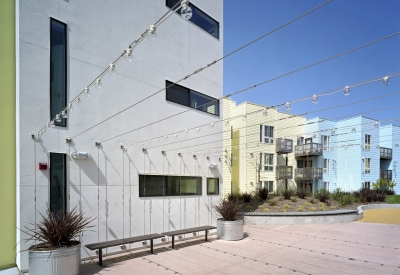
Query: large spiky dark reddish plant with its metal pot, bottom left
[[58, 248]]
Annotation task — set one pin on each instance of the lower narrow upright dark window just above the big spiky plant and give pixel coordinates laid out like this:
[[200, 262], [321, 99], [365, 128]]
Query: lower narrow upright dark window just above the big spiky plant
[[58, 186]]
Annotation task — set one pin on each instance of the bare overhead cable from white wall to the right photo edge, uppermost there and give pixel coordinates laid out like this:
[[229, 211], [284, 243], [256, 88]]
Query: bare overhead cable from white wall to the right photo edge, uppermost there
[[252, 87]]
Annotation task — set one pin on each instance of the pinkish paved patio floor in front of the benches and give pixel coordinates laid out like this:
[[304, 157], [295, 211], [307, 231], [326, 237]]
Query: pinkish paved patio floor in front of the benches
[[347, 248]]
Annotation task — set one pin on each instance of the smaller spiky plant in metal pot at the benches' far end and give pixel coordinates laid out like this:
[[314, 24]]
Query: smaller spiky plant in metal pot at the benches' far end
[[229, 227]]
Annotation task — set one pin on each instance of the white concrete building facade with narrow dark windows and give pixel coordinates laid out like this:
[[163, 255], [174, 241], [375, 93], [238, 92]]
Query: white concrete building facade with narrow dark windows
[[181, 189]]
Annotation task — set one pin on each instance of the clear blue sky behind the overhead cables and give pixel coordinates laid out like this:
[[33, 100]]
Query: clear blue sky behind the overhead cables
[[337, 27]]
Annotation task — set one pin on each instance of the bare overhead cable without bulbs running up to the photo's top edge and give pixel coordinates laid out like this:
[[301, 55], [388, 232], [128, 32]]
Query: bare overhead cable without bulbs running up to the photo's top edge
[[207, 66]]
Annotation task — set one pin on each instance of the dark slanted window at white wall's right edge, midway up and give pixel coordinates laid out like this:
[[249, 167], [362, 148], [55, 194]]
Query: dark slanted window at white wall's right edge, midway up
[[193, 99]]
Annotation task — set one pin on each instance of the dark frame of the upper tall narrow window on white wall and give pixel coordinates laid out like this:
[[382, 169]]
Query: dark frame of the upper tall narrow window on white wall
[[63, 122]]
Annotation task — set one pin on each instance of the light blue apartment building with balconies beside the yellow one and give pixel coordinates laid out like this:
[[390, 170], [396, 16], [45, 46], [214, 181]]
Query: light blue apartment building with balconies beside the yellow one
[[348, 153]]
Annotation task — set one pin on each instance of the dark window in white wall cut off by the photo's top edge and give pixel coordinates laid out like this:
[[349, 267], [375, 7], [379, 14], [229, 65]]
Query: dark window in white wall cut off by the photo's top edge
[[200, 18]]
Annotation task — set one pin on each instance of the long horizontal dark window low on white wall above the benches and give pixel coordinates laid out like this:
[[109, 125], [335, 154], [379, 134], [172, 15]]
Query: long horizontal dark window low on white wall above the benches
[[153, 186]]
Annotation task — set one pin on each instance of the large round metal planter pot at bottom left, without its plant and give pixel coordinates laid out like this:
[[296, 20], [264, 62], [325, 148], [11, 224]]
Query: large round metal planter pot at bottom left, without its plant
[[64, 261]]
